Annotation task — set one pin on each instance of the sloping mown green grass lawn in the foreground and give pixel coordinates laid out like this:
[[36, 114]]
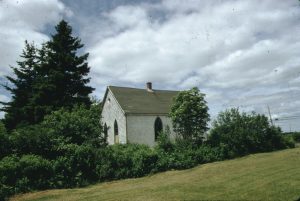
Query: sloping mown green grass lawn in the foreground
[[266, 176]]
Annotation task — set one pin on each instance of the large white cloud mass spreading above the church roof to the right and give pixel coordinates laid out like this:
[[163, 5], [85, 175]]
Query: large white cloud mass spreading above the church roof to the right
[[233, 49]]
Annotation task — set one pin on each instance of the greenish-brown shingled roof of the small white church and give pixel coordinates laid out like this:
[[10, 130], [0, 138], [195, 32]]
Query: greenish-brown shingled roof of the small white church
[[141, 101]]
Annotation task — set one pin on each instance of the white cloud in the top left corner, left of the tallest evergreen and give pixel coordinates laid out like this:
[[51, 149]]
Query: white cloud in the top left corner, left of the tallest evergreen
[[22, 20]]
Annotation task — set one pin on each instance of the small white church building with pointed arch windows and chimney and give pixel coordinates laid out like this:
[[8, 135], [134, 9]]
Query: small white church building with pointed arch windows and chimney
[[132, 115]]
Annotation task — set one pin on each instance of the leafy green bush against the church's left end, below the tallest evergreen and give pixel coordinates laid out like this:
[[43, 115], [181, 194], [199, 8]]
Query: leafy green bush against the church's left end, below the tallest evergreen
[[79, 126]]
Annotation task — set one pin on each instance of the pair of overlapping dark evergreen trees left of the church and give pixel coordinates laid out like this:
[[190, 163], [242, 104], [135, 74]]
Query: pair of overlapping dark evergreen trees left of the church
[[49, 78]]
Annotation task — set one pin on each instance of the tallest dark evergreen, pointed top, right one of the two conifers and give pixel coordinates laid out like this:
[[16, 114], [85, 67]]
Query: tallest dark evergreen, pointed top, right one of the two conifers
[[67, 70]]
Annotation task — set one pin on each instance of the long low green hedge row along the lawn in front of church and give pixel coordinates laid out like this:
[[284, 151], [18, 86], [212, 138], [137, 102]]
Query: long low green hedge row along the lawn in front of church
[[82, 165]]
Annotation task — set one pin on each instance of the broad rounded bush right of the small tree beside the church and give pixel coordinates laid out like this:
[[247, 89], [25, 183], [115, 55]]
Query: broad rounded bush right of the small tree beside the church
[[243, 133]]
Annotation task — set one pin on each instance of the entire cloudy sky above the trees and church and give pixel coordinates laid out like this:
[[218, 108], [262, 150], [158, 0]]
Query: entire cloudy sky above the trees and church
[[240, 53]]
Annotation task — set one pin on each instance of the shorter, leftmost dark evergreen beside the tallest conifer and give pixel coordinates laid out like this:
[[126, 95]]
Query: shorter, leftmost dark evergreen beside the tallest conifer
[[18, 110]]
